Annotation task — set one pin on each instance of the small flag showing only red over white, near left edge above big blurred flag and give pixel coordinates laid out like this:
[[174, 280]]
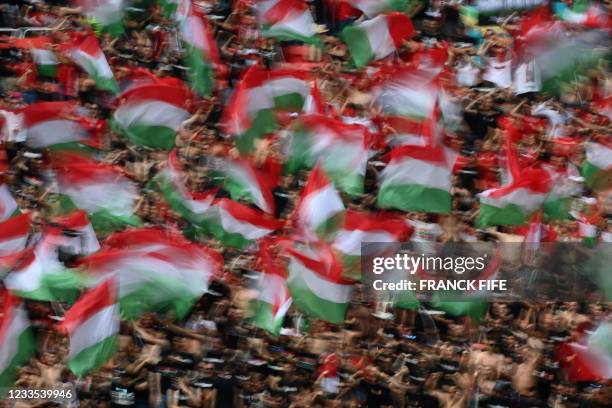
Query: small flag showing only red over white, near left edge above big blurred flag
[[77, 235]]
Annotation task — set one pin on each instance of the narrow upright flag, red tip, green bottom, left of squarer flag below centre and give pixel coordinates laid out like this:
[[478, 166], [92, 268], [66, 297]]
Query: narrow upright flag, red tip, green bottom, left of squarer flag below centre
[[273, 299]]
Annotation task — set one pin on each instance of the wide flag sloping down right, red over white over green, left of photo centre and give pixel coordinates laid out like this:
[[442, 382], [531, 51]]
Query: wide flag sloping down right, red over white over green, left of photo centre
[[237, 225]]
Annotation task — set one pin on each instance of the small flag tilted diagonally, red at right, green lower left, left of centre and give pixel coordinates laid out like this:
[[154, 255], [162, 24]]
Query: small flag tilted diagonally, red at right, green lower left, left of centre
[[243, 181]]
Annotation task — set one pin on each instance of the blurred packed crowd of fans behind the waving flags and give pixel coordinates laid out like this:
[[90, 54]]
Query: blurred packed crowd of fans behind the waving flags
[[408, 358]]
